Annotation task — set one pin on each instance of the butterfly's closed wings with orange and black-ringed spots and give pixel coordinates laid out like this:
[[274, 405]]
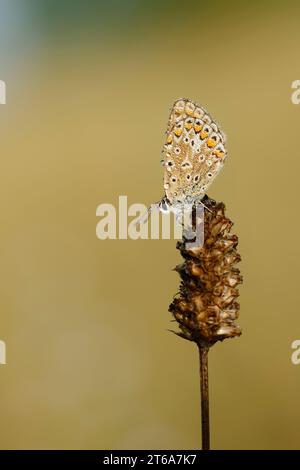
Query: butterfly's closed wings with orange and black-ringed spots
[[194, 152]]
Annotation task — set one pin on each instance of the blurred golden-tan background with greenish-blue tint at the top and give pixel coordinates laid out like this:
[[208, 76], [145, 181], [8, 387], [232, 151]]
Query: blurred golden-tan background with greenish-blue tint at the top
[[90, 363]]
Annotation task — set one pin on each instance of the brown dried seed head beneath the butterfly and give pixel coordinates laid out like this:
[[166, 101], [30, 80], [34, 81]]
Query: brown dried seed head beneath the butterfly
[[206, 307]]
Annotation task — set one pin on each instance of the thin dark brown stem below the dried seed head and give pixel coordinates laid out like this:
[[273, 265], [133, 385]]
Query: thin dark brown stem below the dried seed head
[[203, 357]]
